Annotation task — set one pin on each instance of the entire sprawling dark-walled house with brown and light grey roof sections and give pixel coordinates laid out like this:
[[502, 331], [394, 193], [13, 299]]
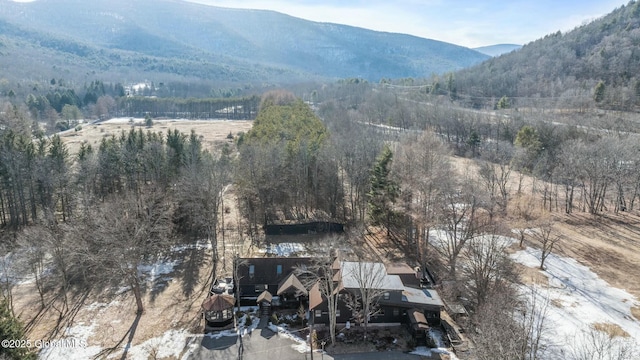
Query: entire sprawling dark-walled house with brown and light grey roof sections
[[274, 282]]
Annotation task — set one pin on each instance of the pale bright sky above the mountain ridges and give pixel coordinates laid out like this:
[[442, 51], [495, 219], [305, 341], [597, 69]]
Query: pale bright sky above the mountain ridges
[[470, 23]]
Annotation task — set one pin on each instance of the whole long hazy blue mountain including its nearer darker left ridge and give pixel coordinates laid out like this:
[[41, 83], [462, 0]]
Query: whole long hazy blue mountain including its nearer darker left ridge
[[184, 39]]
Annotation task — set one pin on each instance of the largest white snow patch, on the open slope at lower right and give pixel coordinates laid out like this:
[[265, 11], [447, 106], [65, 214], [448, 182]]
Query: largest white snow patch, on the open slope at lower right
[[577, 298]]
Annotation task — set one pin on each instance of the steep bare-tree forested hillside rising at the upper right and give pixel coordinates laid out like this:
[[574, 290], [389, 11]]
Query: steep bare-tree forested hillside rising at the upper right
[[563, 69]]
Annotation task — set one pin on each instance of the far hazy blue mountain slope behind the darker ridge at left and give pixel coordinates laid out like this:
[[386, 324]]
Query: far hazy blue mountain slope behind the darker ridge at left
[[180, 30]]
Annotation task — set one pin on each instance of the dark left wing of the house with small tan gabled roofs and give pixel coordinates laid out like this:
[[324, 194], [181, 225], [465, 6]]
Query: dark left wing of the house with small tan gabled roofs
[[271, 282]]
